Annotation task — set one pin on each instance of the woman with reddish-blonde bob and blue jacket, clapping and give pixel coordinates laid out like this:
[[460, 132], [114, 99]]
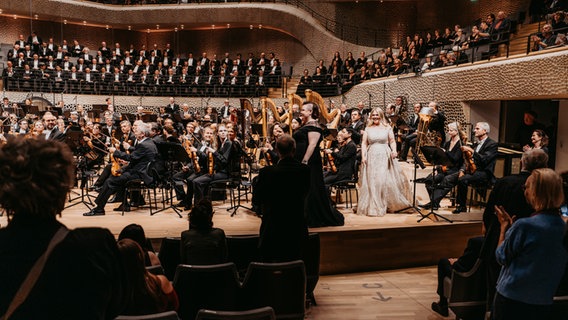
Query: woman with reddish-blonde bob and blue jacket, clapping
[[531, 251]]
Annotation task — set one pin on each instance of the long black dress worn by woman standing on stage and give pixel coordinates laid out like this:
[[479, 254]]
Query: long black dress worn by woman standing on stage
[[318, 208]]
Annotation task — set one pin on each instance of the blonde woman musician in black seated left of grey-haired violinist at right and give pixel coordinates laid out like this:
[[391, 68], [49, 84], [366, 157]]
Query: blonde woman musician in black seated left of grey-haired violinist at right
[[452, 148]]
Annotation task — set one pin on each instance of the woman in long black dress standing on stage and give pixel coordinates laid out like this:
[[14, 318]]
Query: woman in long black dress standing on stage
[[318, 208]]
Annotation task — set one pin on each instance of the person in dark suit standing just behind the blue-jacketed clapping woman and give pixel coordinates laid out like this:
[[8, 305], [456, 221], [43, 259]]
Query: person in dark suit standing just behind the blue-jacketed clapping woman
[[508, 192]]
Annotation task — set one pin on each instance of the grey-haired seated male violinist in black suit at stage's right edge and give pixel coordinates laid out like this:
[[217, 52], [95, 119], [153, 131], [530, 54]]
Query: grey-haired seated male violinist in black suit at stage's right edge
[[483, 155]]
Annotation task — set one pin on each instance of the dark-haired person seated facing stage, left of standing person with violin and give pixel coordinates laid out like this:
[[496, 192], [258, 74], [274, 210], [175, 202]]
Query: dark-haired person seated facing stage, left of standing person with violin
[[202, 244]]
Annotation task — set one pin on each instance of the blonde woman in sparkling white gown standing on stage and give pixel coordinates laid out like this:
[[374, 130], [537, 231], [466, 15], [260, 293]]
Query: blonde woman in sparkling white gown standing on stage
[[383, 185]]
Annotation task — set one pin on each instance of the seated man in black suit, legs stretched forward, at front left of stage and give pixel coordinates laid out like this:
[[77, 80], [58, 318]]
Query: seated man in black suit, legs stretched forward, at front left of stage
[[141, 154]]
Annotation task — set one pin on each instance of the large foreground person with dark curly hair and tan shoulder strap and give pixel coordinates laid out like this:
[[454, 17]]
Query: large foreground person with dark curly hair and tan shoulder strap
[[80, 275]]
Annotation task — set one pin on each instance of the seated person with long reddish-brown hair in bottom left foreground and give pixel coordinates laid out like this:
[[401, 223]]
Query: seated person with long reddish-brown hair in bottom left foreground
[[148, 293]]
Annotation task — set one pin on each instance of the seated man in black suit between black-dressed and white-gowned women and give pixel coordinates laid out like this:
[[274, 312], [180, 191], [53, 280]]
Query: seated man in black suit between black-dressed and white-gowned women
[[344, 157]]
